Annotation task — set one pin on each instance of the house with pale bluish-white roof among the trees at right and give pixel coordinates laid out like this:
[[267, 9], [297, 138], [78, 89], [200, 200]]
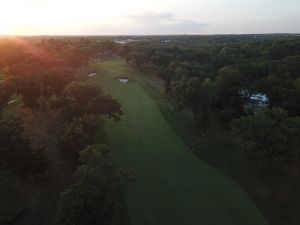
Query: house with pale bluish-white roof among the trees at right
[[254, 101]]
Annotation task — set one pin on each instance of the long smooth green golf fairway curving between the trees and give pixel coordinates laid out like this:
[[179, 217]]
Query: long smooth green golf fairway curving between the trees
[[173, 187]]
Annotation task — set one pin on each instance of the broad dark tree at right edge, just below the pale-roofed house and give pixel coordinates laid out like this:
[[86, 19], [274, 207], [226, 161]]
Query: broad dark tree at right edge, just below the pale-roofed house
[[269, 135]]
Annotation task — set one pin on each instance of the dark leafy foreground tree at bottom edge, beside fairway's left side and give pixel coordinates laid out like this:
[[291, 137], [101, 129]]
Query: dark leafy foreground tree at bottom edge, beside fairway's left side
[[96, 197]]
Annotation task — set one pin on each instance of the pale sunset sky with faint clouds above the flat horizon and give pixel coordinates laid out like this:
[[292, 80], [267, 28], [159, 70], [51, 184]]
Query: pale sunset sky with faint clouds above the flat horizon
[[148, 17]]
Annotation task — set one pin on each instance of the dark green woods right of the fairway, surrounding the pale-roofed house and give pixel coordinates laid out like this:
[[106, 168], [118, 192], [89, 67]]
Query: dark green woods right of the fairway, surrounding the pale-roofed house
[[218, 77]]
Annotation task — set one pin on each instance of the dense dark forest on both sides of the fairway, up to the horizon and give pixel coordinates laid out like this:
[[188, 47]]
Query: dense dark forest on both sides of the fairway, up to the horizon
[[55, 164]]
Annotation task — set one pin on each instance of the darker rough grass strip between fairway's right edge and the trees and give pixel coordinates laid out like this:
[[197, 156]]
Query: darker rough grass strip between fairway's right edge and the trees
[[217, 146]]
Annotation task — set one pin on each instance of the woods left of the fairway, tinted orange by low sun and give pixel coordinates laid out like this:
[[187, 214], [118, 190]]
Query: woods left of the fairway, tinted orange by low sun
[[54, 168]]
